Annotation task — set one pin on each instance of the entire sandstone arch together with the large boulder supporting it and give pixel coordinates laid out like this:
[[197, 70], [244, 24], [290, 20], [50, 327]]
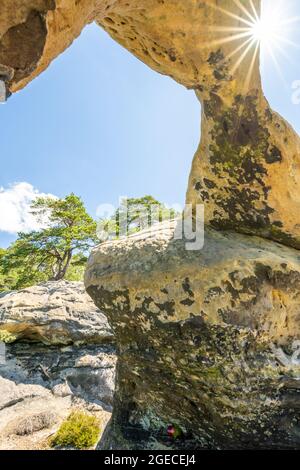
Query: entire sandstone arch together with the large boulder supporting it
[[207, 338]]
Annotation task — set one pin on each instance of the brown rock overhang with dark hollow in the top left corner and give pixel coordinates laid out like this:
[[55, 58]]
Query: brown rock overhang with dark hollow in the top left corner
[[34, 32]]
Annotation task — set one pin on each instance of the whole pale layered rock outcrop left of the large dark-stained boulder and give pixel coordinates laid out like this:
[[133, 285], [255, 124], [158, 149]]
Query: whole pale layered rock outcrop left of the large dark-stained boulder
[[59, 356]]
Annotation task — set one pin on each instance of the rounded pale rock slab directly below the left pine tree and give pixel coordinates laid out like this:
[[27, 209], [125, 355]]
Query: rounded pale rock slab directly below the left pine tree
[[54, 313]]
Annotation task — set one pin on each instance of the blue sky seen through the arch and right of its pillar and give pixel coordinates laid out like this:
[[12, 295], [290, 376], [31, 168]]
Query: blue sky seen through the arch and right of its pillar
[[100, 123]]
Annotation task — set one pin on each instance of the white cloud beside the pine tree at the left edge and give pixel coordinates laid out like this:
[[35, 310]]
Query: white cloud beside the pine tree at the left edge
[[15, 204]]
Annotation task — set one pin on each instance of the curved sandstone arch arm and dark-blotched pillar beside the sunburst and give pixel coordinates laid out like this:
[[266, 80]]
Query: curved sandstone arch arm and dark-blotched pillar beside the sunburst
[[246, 171]]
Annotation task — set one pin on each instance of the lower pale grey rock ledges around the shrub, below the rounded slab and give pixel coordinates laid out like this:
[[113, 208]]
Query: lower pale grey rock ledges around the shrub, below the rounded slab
[[40, 385]]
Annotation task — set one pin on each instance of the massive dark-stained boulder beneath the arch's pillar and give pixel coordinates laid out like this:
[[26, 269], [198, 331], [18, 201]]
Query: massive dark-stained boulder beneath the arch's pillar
[[208, 340]]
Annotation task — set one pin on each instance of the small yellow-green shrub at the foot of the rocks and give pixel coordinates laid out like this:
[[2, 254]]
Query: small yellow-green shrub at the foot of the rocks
[[80, 430]]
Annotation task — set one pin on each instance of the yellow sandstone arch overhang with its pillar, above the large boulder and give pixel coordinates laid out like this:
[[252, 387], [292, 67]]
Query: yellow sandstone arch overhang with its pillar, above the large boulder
[[246, 171]]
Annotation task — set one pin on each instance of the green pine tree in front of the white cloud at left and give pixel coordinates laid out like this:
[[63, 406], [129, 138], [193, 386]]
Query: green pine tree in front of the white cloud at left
[[56, 252]]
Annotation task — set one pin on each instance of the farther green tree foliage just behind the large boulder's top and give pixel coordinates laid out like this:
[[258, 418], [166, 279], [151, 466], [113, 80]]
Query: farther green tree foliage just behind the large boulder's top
[[133, 215]]
